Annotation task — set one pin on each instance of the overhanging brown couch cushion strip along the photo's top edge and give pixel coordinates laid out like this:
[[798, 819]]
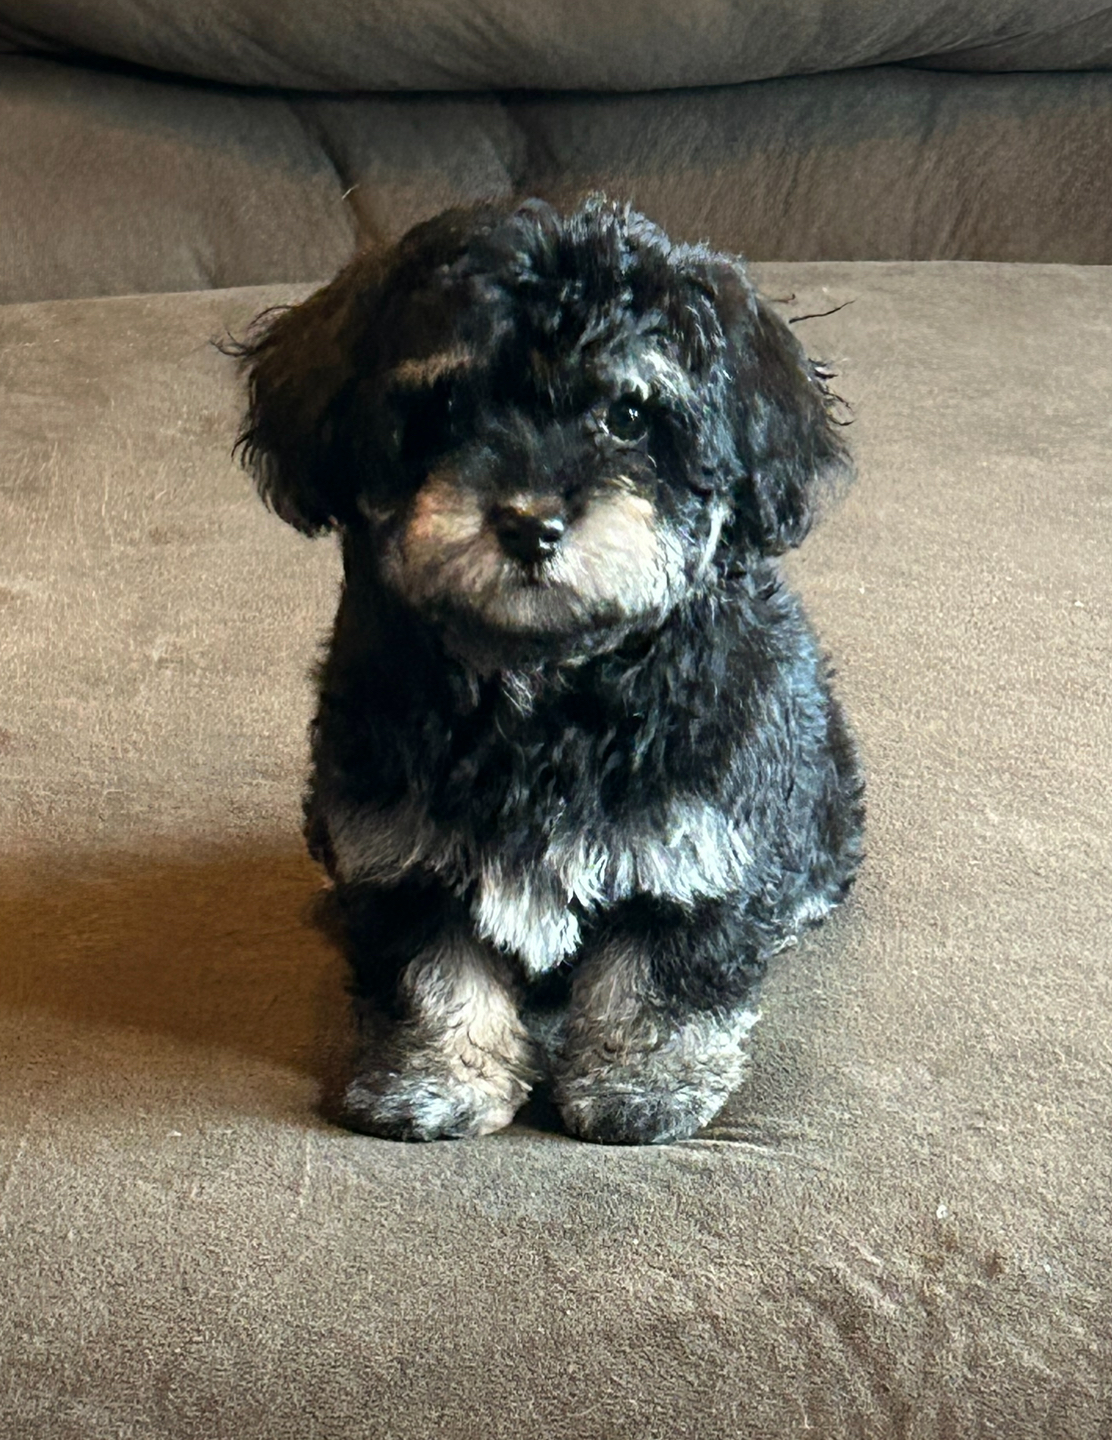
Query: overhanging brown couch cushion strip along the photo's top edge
[[509, 45]]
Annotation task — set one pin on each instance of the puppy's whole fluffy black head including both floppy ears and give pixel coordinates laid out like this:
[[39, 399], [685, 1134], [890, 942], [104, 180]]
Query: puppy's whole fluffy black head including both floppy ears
[[548, 428]]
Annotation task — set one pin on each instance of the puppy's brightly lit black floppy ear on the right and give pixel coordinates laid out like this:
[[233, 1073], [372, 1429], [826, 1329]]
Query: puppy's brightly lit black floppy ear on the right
[[787, 440]]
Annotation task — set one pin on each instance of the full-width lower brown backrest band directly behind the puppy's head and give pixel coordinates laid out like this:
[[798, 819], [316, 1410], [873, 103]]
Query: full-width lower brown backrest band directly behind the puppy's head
[[116, 185]]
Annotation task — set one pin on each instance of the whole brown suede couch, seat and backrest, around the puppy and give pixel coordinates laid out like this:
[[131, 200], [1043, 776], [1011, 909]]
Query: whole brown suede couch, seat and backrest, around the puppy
[[901, 1228]]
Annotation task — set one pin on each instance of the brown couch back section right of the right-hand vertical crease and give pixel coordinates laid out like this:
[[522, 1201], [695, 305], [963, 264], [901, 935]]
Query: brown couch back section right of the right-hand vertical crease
[[871, 165]]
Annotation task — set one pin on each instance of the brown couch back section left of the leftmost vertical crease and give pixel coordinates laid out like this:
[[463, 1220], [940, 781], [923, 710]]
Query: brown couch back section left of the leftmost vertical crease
[[115, 185]]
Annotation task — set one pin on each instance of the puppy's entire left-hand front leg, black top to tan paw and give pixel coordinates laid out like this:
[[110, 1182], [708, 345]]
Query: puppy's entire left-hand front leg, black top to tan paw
[[444, 1053]]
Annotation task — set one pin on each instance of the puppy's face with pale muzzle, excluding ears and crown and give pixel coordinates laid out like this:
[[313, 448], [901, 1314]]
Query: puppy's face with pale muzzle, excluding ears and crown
[[548, 485]]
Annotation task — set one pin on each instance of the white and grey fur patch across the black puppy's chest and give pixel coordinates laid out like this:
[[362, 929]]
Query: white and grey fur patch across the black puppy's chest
[[535, 908]]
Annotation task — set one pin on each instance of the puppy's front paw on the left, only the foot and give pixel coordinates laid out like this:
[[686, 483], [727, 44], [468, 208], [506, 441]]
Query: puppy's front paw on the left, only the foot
[[416, 1105]]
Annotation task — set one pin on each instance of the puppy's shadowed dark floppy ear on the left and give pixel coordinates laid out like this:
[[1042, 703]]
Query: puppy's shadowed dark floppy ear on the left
[[303, 365]]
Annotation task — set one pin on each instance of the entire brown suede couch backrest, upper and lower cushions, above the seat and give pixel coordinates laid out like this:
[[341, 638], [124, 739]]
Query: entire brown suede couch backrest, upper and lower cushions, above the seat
[[120, 182]]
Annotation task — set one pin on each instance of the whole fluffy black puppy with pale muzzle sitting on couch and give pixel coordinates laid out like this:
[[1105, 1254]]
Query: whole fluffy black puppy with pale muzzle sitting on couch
[[577, 767]]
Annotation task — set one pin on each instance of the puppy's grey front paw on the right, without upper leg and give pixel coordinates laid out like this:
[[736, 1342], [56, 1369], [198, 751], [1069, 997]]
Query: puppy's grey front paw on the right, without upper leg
[[619, 1095]]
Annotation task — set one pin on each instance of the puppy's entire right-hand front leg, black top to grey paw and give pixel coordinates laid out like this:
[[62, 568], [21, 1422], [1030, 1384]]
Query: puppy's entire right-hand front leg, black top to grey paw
[[658, 1030]]
